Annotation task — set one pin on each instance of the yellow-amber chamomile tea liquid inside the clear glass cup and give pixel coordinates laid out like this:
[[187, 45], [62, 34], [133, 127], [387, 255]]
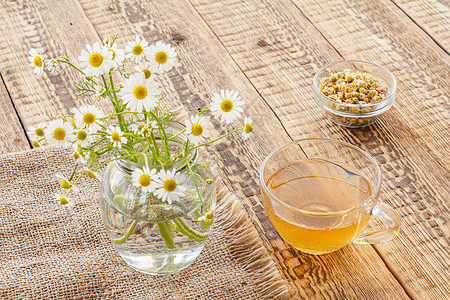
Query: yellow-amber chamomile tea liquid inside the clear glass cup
[[319, 186]]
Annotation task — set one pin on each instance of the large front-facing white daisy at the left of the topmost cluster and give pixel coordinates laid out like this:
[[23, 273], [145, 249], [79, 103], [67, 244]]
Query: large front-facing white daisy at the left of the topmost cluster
[[96, 61]]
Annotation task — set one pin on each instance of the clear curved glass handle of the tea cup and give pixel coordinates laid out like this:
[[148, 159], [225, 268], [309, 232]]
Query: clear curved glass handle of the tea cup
[[391, 217]]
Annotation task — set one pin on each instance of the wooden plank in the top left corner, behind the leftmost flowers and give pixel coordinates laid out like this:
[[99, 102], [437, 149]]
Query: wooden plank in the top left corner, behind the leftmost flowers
[[47, 26]]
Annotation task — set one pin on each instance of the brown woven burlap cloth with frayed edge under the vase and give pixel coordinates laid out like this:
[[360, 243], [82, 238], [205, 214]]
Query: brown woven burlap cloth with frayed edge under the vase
[[49, 251]]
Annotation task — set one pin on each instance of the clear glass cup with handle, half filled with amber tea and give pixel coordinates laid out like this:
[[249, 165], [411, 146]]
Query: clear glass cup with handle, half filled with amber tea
[[319, 195]]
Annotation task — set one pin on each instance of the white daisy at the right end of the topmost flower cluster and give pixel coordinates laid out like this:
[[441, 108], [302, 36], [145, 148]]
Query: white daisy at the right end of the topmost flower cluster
[[162, 57]]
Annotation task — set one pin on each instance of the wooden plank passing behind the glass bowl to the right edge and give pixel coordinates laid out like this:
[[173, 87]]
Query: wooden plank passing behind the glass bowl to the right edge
[[380, 32]]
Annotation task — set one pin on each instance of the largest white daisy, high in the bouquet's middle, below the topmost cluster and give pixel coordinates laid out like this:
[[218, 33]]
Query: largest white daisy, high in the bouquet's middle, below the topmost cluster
[[139, 93]]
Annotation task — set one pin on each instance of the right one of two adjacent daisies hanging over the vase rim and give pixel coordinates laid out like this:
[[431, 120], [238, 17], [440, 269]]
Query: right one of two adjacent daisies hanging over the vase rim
[[168, 186]]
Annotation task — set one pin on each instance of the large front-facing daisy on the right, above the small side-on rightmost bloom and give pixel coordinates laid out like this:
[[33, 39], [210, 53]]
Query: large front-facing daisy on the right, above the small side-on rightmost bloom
[[227, 106]]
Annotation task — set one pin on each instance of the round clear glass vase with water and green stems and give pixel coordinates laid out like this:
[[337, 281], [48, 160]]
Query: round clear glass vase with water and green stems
[[152, 236]]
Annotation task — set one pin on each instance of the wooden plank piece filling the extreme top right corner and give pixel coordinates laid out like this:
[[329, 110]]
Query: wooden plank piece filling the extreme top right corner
[[433, 16]]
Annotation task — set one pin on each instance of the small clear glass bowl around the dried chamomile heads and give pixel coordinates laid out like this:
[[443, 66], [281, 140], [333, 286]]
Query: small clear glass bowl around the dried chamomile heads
[[361, 114]]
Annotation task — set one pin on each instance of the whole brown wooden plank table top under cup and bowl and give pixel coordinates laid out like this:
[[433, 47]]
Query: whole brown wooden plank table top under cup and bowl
[[269, 51]]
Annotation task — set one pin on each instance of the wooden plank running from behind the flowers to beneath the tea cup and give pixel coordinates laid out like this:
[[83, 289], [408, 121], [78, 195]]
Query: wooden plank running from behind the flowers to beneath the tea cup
[[356, 272]]
